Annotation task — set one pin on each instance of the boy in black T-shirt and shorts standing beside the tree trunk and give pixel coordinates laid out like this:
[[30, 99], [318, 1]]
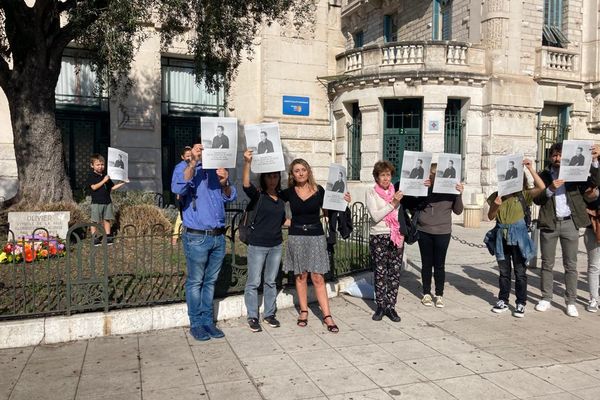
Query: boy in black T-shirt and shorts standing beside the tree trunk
[[100, 185]]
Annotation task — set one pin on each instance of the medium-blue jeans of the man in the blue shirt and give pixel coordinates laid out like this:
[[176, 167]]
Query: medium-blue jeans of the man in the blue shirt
[[204, 256]]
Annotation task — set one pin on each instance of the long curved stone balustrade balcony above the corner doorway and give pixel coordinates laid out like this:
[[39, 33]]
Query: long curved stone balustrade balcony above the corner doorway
[[407, 58]]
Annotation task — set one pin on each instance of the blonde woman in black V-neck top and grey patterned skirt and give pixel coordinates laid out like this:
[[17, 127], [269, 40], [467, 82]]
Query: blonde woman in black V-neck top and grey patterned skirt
[[306, 246]]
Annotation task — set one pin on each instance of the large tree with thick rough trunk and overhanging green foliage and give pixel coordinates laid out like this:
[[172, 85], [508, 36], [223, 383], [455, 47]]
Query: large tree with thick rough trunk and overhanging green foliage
[[34, 34]]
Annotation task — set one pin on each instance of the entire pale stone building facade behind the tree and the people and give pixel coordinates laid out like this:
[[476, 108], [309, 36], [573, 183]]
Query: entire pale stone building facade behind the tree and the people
[[481, 78]]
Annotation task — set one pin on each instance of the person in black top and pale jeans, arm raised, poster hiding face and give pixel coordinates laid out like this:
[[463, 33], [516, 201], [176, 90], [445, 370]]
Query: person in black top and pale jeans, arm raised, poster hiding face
[[264, 243]]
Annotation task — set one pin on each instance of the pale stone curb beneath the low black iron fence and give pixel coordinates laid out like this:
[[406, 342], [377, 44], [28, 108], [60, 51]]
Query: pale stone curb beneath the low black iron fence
[[59, 329]]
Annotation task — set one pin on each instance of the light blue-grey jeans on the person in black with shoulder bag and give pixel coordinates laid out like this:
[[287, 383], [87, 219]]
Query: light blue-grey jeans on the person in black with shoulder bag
[[256, 260]]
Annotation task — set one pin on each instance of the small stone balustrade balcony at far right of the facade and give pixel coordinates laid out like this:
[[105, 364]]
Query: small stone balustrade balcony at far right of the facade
[[554, 63]]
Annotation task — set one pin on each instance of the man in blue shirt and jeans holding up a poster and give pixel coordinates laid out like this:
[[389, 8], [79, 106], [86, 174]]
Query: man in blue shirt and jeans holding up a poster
[[203, 193]]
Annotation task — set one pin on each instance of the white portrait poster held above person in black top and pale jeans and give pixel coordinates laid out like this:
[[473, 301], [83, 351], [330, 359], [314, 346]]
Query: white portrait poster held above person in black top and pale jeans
[[265, 142]]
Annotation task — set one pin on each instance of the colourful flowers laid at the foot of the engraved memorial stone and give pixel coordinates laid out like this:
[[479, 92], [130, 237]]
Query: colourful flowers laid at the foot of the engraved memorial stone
[[31, 248]]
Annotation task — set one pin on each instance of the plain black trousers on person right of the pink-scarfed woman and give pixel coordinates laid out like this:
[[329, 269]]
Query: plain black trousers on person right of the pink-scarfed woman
[[433, 250]]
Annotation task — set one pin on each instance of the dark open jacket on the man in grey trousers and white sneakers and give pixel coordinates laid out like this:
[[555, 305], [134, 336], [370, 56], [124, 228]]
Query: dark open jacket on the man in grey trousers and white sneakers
[[575, 201]]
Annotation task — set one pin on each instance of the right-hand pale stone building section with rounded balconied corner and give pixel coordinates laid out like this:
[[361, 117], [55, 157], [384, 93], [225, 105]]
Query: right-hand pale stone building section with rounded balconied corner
[[478, 78]]
